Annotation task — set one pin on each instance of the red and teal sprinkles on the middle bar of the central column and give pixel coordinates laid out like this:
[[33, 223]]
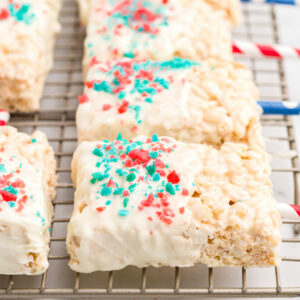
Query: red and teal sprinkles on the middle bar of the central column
[[134, 83]]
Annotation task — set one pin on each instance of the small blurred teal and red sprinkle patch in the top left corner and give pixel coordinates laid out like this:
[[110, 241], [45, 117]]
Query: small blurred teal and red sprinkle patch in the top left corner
[[19, 12]]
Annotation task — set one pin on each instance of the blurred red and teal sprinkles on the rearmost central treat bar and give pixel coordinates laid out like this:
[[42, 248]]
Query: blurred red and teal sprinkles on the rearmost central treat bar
[[141, 16]]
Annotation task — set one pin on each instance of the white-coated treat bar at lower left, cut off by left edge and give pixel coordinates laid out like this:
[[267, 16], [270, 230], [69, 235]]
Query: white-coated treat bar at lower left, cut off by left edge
[[27, 186]]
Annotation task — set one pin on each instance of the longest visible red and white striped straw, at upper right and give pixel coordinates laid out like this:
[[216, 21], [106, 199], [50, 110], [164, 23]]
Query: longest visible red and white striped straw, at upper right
[[265, 50]]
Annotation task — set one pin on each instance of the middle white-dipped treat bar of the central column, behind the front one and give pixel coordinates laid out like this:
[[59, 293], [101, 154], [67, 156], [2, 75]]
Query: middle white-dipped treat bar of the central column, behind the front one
[[192, 102]]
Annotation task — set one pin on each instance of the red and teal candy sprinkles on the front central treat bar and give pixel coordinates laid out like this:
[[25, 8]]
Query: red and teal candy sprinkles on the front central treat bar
[[142, 171]]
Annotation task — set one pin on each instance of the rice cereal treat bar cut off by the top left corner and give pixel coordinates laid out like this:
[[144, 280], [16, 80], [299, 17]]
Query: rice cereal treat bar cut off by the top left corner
[[27, 29]]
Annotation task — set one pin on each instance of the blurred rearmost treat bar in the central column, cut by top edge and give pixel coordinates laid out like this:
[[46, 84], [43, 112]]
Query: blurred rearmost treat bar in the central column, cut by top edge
[[156, 29]]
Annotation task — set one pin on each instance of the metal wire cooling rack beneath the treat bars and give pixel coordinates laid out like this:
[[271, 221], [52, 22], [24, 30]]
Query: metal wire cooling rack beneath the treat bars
[[57, 118]]
